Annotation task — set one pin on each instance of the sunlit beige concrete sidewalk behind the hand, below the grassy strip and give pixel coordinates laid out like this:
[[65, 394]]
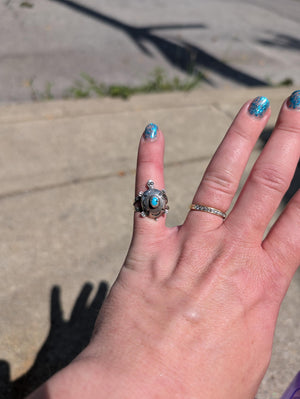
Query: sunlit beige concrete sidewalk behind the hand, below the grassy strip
[[66, 187]]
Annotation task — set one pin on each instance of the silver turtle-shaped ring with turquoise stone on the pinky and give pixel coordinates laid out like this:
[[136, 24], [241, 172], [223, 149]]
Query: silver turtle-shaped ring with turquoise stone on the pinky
[[152, 202]]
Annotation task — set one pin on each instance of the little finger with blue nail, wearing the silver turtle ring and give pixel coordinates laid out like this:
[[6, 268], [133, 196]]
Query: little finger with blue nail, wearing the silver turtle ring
[[149, 167]]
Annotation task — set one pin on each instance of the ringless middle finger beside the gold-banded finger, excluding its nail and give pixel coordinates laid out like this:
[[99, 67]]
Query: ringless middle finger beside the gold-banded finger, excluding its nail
[[270, 176]]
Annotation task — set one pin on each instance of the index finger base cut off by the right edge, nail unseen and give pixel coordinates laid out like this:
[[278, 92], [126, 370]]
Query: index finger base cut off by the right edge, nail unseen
[[283, 241]]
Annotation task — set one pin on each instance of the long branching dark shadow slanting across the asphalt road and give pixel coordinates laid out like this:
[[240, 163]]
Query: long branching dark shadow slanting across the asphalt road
[[182, 55]]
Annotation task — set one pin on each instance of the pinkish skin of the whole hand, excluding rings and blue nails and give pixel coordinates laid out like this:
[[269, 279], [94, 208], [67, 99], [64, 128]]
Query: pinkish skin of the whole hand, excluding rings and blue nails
[[194, 315]]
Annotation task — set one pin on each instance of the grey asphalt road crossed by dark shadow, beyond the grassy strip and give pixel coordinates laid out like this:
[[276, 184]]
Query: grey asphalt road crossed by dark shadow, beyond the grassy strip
[[45, 45]]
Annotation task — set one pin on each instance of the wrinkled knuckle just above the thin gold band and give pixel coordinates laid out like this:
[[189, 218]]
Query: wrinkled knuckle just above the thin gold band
[[221, 181]]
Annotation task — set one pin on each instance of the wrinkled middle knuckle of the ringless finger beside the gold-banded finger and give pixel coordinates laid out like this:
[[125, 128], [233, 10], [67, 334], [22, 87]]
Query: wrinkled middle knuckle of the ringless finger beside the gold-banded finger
[[270, 177]]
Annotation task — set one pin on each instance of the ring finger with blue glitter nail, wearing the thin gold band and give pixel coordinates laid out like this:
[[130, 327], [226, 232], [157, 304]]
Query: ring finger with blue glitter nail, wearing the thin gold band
[[222, 177]]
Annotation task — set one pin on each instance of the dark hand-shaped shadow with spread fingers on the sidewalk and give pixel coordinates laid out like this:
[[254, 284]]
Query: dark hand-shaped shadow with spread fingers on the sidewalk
[[66, 339]]
